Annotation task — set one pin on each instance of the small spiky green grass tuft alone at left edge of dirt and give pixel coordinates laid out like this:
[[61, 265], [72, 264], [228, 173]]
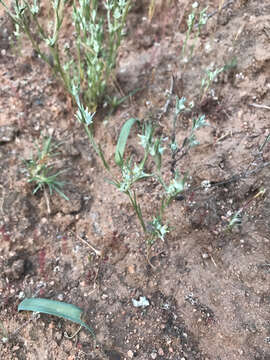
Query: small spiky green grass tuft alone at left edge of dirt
[[40, 169]]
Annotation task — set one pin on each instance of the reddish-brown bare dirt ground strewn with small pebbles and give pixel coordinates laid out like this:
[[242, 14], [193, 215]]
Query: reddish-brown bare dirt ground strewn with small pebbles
[[208, 294]]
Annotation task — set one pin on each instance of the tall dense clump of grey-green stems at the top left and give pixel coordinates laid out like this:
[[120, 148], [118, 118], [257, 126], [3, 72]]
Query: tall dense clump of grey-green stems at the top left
[[97, 39]]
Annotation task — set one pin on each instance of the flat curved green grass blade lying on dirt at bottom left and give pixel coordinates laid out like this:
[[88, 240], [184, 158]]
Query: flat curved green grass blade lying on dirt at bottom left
[[56, 308]]
